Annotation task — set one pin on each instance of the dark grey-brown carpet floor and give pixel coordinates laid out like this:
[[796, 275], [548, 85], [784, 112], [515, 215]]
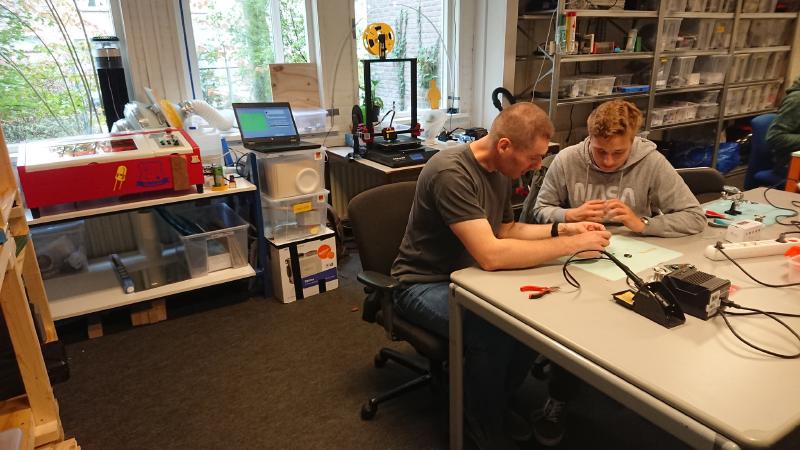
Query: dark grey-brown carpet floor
[[229, 371]]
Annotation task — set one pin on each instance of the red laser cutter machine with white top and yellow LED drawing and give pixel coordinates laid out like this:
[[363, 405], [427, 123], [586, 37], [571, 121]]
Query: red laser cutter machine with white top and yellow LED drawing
[[99, 166]]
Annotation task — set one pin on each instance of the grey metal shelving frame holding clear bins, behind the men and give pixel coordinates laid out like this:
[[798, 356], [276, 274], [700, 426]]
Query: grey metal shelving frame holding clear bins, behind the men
[[553, 62]]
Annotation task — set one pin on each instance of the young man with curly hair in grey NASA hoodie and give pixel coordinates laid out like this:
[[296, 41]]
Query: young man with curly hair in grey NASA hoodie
[[615, 176]]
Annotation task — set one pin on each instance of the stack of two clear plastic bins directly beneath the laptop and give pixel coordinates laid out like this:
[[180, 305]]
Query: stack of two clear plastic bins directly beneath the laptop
[[293, 194]]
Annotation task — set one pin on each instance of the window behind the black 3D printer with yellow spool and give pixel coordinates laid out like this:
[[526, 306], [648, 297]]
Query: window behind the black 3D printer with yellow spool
[[420, 32]]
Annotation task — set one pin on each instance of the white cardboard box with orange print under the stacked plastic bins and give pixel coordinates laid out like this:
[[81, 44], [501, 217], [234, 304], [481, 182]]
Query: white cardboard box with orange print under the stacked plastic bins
[[304, 267]]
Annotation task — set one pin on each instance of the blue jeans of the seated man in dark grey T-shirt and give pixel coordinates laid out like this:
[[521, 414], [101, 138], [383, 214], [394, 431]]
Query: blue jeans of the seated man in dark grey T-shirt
[[495, 363]]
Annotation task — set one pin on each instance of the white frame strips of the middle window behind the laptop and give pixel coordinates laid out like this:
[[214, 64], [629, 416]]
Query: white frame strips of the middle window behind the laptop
[[186, 32]]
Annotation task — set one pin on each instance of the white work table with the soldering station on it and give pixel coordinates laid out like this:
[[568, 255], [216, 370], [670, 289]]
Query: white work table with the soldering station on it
[[696, 381]]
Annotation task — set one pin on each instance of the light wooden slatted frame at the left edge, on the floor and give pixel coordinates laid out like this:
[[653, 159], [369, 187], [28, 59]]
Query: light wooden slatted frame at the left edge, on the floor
[[36, 412]]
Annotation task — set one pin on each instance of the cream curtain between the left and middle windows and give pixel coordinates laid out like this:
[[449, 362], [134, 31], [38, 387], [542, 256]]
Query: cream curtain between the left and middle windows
[[156, 53]]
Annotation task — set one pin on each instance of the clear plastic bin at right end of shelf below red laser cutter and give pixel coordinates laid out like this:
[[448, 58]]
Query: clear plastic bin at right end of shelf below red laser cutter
[[222, 243]]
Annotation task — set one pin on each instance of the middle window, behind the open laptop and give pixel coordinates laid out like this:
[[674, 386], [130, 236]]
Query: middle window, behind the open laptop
[[232, 42]]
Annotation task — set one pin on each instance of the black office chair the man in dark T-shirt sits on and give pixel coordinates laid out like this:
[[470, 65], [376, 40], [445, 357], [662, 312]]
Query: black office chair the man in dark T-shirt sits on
[[379, 217]]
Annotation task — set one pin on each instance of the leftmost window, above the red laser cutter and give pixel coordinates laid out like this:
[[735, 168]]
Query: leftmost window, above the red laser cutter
[[48, 87]]
